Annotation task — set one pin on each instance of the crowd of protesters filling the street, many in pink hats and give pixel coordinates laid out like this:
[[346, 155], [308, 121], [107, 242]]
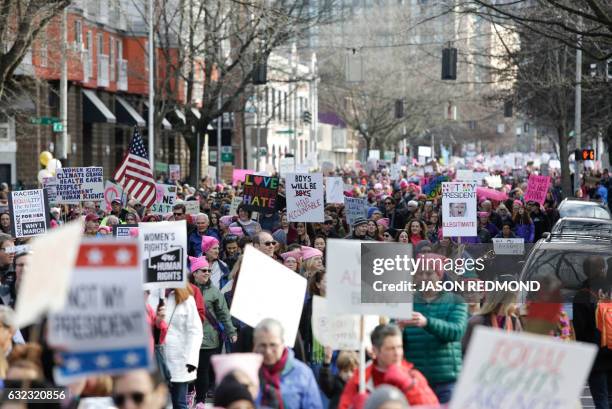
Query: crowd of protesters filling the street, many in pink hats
[[412, 362]]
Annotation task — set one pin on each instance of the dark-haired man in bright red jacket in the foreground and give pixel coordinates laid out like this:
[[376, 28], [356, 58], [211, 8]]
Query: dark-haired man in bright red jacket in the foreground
[[389, 368]]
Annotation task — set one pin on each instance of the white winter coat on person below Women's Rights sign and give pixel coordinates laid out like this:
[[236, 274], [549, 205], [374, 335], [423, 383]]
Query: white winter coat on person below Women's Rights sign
[[183, 338]]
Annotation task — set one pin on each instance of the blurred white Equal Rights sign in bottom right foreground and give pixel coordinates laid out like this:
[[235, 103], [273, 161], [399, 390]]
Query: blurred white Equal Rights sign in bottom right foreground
[[508, 370]]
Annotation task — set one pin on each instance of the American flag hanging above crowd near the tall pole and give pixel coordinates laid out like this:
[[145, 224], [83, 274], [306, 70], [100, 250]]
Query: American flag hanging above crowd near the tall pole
[[135, 174]]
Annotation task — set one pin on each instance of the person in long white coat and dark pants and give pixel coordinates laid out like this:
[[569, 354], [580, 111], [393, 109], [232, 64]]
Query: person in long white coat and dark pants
[[183, 341]]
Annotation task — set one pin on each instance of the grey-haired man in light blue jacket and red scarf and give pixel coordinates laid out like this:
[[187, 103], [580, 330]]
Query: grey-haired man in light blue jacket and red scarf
[[286, 382]]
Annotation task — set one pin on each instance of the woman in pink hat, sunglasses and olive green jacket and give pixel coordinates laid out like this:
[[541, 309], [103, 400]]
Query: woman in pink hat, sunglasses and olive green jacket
[[216, 328]]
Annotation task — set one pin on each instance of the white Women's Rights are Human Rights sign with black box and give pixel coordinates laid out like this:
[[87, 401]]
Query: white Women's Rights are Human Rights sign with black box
[[163, 248]]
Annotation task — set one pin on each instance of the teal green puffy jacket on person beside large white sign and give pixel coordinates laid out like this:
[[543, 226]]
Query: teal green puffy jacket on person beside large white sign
[[435, 350]]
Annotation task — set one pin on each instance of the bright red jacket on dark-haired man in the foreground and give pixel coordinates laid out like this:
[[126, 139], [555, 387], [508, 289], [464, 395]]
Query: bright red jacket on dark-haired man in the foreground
[[417, 393]]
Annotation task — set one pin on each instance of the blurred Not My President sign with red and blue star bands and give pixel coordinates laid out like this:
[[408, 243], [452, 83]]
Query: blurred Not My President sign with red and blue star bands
[[102, 329]]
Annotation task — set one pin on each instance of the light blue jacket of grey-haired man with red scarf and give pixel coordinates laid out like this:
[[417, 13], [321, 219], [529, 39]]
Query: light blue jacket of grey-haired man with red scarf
[[299, 388]]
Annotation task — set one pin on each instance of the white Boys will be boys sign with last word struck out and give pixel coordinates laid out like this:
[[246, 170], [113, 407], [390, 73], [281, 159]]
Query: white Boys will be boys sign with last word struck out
[[305, 197]]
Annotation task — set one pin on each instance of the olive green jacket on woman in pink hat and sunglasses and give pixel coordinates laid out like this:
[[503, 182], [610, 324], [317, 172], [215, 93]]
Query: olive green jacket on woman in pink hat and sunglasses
[[217, 307]]
